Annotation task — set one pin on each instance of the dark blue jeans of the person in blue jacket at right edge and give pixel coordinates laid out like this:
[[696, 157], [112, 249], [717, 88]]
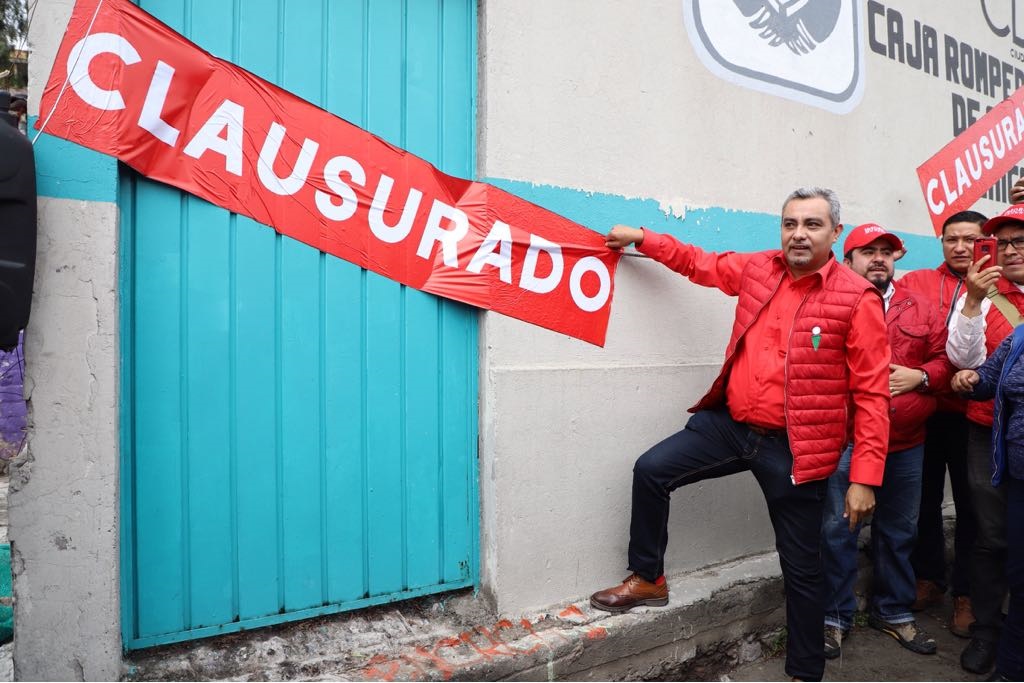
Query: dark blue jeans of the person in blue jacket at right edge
[[1010, 661]]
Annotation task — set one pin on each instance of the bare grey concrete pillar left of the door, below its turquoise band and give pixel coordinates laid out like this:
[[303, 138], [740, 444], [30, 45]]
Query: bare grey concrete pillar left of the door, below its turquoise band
[[64, 496]]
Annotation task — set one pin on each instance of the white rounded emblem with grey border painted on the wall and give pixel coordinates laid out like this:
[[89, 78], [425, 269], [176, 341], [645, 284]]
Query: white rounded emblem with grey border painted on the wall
[[806, 51]]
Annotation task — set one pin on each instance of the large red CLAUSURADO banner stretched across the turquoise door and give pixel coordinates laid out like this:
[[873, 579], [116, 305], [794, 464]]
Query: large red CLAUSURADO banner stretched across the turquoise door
[[126, 86]]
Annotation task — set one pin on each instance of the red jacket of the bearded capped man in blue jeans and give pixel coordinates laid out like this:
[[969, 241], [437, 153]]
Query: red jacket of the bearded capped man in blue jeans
[[918, 338]]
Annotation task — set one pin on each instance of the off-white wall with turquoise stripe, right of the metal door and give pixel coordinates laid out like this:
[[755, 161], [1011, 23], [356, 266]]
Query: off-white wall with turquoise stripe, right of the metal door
[[605, 112]]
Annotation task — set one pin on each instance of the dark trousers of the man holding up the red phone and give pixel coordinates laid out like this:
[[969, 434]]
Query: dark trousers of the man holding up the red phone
[[989, 563]]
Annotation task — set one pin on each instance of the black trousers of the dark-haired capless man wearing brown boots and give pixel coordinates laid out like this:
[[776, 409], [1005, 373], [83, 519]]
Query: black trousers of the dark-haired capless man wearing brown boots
[[946, 449]]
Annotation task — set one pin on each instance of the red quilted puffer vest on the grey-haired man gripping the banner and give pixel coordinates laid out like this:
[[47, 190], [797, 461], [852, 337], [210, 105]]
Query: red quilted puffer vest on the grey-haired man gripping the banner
[[818, 398]]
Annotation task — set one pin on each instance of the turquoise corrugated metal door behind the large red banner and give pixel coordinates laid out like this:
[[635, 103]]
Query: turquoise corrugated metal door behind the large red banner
[[300, 435]]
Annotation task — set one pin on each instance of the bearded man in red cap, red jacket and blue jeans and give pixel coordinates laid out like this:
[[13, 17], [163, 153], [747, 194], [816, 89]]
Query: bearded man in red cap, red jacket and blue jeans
[[919, 368]]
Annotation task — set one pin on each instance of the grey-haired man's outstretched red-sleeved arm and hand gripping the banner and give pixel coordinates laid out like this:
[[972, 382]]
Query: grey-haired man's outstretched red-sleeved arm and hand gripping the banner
[[706, 269]]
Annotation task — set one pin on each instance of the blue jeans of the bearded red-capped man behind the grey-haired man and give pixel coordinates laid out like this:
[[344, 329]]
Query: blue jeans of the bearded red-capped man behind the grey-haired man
[[894, 530]]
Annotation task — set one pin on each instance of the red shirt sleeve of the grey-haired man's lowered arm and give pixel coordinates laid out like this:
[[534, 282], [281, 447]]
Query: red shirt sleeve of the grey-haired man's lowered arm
[[868, 357]]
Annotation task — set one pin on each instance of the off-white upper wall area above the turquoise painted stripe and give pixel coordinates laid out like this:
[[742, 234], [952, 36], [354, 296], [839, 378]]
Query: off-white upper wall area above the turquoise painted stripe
[[618, 102]]
